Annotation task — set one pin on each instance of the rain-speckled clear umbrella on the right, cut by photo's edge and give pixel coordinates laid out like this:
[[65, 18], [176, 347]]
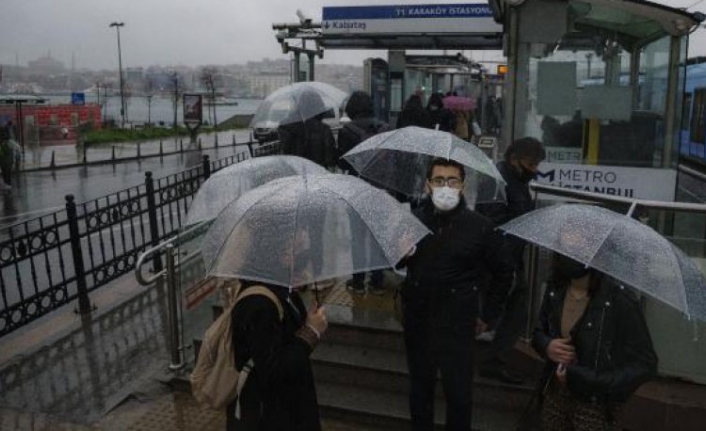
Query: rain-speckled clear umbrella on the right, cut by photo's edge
[[620, 247]]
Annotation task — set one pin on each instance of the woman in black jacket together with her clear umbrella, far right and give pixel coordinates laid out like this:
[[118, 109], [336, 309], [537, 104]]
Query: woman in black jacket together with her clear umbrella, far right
[[591, 330]]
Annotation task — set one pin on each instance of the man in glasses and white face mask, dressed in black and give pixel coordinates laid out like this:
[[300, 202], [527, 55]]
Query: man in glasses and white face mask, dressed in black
[[440, 297]]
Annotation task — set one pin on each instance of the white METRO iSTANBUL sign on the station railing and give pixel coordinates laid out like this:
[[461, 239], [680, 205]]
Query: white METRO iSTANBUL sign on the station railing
[[638, 183]]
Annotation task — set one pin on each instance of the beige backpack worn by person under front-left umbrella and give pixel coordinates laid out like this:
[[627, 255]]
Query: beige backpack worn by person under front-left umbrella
[[215, 382]]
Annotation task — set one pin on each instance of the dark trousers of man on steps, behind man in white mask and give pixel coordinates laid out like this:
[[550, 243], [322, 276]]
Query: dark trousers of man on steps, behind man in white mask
[[509, 327]]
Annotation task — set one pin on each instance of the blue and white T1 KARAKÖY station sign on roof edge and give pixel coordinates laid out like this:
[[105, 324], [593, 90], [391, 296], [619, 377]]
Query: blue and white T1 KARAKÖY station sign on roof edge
[[410, 19]]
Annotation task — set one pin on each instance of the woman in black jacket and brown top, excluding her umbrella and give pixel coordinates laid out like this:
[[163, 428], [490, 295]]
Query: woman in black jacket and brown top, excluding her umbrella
[[597, 346]]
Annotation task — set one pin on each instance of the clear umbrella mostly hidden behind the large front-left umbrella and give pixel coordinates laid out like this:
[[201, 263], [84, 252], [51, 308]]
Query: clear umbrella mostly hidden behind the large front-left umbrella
[[229, 183]]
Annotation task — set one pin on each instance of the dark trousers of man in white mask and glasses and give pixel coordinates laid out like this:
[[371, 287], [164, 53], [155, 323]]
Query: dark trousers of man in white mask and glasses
[[450, 352]]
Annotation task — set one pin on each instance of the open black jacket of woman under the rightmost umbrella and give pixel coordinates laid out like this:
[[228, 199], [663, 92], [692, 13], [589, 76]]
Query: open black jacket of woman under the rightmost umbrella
[[613, 345]]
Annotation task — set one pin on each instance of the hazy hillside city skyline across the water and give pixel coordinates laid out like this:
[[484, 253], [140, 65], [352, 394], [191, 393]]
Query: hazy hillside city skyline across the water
[[254, 79]]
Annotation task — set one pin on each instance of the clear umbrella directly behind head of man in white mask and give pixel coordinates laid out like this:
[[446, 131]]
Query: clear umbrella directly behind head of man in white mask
[[399, 160]]
